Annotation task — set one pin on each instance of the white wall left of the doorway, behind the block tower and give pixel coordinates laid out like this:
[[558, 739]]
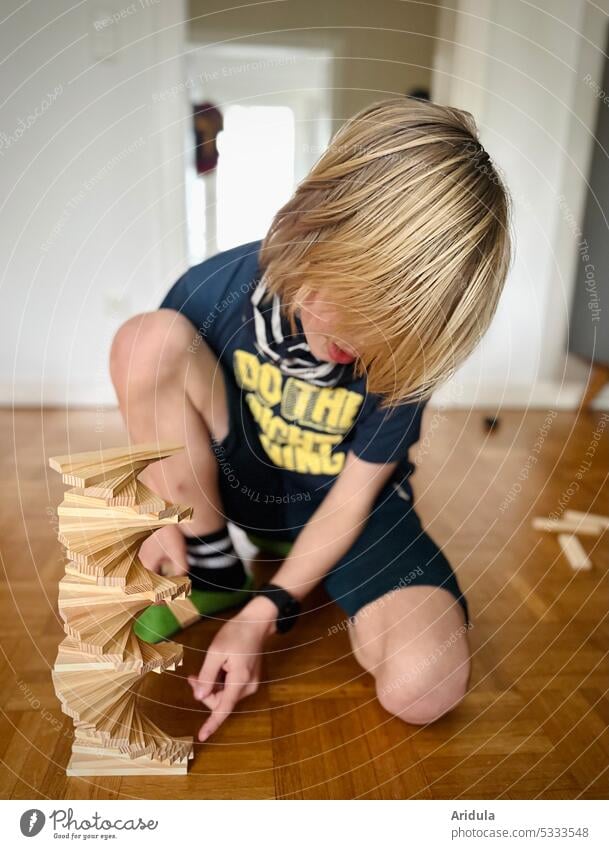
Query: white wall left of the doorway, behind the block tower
[[92, 200]]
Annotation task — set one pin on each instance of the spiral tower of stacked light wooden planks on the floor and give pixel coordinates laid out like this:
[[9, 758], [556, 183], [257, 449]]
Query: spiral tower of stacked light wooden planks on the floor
[[103, 520]]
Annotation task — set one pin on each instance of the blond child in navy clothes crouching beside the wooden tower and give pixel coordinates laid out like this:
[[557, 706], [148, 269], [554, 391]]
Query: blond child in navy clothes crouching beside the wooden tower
[[295, 373]]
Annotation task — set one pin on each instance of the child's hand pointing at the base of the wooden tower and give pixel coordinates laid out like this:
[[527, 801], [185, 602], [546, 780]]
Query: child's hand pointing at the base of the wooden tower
[[231, 670]]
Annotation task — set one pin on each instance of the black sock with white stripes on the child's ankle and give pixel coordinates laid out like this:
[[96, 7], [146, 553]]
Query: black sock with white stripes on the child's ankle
[[213, 563]]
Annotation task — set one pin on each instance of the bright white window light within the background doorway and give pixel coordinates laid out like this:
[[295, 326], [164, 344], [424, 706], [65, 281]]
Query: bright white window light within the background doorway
[[255, 171]]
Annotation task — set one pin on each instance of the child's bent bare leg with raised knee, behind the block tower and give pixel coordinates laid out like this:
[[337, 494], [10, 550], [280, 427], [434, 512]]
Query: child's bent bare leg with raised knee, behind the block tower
[[171, 388]]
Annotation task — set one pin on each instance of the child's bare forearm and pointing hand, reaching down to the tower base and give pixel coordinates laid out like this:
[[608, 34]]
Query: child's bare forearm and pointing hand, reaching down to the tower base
[[231, 669]]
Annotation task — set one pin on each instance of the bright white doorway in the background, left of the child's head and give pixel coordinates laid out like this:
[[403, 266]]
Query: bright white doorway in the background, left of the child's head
[[276, 106]]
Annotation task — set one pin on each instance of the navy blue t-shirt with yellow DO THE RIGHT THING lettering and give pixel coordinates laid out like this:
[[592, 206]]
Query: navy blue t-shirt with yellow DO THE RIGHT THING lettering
[[308, 414]]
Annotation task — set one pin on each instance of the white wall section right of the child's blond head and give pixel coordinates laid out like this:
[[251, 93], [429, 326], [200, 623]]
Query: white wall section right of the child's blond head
[[519, 69]]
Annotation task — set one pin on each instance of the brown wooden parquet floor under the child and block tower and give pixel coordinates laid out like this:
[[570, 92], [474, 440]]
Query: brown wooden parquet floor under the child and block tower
[[533, 726]]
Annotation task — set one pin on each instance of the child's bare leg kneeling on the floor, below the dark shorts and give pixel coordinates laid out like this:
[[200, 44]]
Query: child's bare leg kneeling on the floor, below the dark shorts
[[414, 643]]
